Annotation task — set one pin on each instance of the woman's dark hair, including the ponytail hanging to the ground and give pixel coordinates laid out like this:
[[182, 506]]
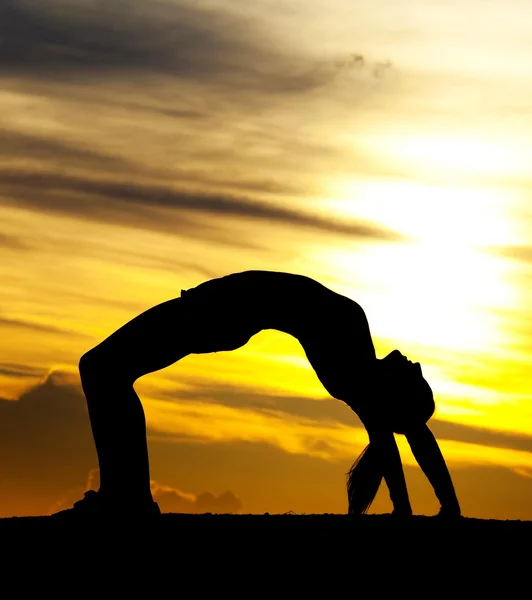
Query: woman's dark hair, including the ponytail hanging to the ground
[[365, 476]]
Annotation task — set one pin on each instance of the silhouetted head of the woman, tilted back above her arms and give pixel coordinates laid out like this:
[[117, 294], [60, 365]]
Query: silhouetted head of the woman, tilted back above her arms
[[406, 399]]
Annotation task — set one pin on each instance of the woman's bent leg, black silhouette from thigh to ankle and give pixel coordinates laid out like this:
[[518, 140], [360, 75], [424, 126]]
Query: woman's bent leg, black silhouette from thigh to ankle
[[151, 341]]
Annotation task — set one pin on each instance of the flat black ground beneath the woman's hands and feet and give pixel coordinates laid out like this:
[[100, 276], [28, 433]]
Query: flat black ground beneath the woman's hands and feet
[[291, 554]]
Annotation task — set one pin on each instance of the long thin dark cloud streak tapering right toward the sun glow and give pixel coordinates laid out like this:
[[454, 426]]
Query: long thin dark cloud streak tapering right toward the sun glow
[[124, 202]]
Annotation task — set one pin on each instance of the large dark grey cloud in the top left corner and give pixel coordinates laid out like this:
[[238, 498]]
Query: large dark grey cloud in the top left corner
[[58, 39]]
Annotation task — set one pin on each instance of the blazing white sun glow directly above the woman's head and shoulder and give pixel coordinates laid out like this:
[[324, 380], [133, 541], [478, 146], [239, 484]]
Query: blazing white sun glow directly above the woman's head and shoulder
[[440, 287]]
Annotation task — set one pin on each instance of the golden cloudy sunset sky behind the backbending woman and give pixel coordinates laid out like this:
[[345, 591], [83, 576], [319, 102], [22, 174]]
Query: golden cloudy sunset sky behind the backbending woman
[[382, 148]]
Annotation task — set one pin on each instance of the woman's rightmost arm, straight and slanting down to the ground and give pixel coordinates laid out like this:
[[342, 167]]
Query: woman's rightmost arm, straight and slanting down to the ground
[[429, 457]]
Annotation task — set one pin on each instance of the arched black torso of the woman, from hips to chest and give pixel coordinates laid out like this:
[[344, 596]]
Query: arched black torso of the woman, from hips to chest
[[332, 329]]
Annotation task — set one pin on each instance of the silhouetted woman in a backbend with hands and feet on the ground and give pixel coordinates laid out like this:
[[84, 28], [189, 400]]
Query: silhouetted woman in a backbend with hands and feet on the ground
[[389, 395]]
